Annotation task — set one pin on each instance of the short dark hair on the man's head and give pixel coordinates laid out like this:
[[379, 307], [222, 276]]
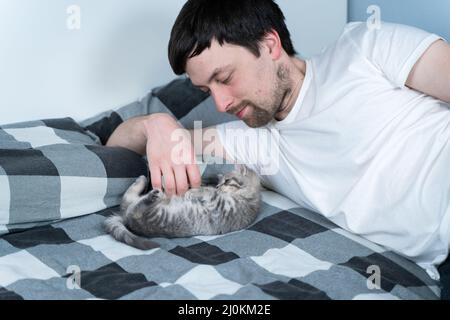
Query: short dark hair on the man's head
[[238, 22]]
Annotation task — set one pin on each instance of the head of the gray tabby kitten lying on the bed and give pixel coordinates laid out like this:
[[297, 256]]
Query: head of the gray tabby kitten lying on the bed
[[242, 180]]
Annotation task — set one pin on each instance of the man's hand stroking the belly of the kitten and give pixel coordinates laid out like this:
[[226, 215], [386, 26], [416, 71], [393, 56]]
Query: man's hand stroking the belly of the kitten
[[171, 155]]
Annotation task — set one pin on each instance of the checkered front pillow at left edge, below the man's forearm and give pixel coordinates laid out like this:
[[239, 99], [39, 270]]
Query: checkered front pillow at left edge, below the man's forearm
[[54, 169]]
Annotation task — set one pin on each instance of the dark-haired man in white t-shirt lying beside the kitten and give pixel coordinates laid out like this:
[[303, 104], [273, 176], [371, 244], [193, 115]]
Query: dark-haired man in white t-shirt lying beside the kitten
[[363, 129]]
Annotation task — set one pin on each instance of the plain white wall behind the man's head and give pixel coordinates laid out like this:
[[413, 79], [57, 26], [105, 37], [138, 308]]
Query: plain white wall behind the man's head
[[116, 57]]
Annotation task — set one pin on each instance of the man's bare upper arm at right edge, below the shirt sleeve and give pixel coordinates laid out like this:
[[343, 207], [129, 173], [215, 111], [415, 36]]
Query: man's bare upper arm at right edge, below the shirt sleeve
[[431, 74]]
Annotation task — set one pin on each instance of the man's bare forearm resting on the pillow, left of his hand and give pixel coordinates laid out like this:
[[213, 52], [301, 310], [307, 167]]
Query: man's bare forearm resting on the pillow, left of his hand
[[130, 135]]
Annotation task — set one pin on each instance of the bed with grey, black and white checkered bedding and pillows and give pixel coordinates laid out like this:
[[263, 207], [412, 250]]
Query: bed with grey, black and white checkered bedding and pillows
[[58, 183]]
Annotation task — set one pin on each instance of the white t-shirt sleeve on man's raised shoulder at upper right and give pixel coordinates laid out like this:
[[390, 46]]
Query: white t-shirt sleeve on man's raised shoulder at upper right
[[393, 48]]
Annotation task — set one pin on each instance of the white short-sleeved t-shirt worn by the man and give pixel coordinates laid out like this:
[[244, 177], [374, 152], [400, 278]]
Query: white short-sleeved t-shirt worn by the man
[[361, 148]]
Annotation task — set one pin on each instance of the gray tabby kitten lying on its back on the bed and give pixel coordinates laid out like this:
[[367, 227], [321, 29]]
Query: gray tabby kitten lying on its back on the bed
[[230, 206]]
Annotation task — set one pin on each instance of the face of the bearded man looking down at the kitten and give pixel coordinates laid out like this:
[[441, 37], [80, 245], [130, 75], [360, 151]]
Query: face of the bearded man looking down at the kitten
[[240, 83]]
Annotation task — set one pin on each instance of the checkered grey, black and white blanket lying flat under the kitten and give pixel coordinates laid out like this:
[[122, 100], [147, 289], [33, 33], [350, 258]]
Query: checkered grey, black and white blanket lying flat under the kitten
[[288, 253]]
